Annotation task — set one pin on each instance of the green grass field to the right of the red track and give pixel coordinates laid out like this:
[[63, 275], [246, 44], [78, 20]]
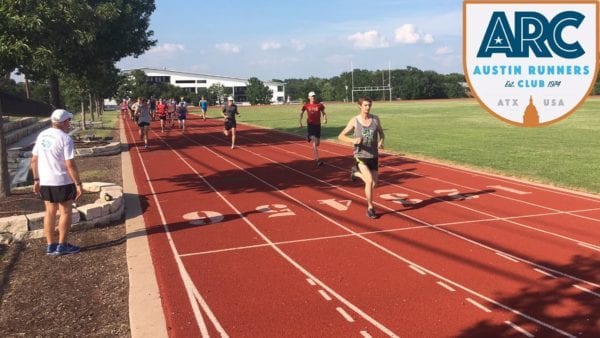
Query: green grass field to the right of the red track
[[565, 154]]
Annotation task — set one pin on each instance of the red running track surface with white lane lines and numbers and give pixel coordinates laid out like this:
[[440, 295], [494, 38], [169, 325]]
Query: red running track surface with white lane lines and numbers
[[258, 242]]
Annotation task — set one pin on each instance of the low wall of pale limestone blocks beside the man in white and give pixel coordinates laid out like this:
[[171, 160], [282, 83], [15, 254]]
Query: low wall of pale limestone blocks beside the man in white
[[107, 208]]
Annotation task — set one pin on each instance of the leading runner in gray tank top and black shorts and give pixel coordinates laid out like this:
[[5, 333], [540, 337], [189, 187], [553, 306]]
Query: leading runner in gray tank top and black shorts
[[368, 139]]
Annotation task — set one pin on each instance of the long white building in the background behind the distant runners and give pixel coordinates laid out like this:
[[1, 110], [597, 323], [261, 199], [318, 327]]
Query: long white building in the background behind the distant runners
[[191, 82]]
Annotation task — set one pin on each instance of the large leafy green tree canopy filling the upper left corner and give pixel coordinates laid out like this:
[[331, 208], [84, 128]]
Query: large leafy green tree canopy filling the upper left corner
[[90, 32]]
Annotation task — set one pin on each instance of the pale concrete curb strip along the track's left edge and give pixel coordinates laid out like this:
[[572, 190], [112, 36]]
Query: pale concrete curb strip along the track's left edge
[[146, 315]]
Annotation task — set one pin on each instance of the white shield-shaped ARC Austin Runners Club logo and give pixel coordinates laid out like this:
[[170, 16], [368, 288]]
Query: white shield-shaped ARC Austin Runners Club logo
[[530, 63]]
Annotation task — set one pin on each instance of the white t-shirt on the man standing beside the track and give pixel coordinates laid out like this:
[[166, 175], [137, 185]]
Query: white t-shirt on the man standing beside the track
[[53, 147]]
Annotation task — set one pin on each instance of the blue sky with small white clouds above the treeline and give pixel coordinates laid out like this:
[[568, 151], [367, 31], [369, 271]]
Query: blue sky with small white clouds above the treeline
[[297, 39]]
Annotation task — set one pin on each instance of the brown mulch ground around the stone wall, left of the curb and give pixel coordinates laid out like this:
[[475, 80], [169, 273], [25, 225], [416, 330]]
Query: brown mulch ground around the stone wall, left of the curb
[[69, 296]]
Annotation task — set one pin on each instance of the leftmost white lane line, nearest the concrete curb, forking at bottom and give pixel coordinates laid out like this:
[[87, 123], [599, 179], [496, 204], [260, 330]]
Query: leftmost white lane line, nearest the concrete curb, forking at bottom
[[193, 295]]
